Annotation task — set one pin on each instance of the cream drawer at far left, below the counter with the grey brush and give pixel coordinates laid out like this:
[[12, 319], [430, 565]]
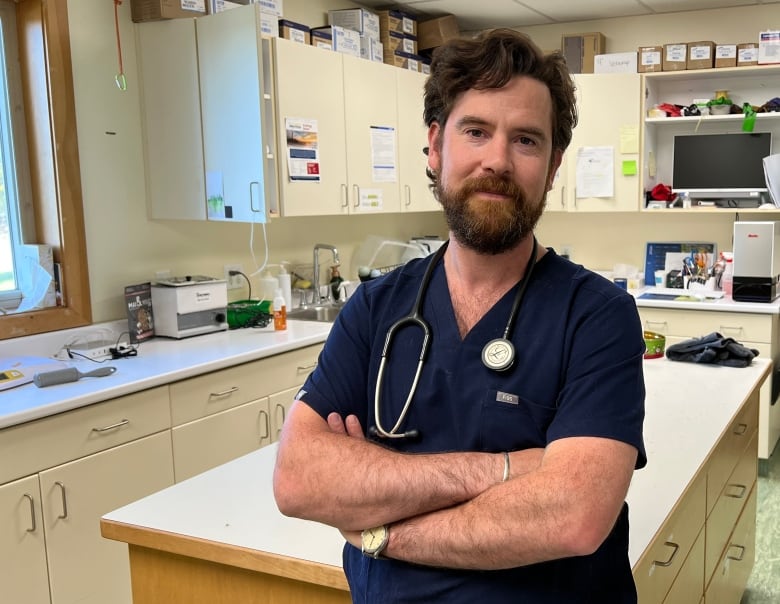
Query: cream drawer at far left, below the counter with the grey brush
[[51, 441]]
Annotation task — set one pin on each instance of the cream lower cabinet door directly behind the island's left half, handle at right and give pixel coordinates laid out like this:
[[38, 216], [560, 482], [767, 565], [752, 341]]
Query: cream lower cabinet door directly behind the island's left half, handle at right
[[206, 443]]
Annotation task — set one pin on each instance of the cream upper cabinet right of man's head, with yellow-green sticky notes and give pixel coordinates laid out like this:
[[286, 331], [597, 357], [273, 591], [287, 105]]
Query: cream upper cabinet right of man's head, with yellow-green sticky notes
[[604, 147]]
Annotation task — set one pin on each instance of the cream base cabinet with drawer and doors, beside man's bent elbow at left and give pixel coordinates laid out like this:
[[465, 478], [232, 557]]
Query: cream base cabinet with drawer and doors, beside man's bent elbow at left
[[225, 414]]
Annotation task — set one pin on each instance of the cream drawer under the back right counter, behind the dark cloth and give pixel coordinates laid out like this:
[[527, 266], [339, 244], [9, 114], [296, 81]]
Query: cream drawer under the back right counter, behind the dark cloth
[[695, 323]]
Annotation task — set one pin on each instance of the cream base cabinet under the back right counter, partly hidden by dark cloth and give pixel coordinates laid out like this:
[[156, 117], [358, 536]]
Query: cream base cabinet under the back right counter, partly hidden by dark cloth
[[754, 330]]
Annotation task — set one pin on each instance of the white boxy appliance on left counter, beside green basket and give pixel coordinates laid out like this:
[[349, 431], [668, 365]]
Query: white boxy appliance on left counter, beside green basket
[[189, 306]]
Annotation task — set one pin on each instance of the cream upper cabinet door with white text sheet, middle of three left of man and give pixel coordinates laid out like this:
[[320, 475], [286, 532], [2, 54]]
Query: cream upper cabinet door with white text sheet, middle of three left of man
[[372, 136]]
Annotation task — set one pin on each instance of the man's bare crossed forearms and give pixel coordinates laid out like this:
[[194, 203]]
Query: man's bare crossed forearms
[[452, 509]]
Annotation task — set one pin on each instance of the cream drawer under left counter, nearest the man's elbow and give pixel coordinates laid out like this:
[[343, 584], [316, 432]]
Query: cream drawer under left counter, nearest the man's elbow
[[220, 390]]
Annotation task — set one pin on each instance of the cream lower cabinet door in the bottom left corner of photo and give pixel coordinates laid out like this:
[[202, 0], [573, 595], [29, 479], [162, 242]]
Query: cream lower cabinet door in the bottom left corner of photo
[[22, 545]]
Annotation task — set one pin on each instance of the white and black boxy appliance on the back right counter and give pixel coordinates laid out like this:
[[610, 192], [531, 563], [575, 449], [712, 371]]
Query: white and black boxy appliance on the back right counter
[[756, 261]]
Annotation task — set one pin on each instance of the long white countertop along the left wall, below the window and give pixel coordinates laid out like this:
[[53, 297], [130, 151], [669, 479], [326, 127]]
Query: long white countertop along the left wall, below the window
[[159, 361]]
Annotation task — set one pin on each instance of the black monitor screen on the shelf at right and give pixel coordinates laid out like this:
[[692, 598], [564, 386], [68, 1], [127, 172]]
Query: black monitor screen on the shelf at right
[[720, 162]]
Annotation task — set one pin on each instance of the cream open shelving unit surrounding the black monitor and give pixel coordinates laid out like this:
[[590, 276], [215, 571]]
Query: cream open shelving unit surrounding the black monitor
[[754, 85]]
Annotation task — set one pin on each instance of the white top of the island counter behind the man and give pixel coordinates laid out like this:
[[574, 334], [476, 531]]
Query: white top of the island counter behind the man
[[688, 408]]
